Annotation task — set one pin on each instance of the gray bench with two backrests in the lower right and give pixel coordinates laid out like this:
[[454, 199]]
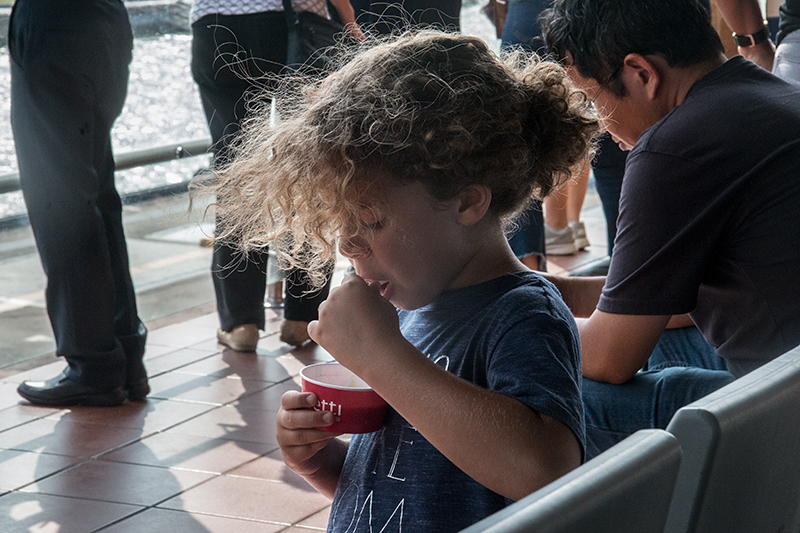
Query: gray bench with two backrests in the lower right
[[729, 462]]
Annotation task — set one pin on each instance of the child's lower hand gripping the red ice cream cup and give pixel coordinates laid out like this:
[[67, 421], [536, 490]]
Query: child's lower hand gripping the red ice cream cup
[[297, 437]]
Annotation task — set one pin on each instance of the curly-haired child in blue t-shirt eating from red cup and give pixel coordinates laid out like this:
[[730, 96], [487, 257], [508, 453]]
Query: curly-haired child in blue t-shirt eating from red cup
[[413, 155]]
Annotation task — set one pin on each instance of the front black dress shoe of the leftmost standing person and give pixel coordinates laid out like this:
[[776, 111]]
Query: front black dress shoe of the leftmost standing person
[[61, 391]]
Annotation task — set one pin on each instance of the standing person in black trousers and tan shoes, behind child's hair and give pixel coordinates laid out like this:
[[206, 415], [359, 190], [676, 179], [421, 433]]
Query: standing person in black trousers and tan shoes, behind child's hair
[[237, 48]]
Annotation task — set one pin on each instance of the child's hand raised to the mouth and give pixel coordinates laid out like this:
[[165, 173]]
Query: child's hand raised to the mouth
[[356, 324]]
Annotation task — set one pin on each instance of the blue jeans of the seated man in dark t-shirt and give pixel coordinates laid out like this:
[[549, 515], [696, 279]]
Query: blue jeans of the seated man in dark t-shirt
[[682, 369]]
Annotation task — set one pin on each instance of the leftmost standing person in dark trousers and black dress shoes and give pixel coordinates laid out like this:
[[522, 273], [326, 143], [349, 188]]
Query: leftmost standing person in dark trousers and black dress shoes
[[69, 79]]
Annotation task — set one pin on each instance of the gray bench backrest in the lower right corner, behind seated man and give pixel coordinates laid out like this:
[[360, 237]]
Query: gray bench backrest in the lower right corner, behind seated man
[[741, 455]]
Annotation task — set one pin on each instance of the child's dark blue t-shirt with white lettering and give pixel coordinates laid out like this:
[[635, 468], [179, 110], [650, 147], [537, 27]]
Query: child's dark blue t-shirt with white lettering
[[513, 335]]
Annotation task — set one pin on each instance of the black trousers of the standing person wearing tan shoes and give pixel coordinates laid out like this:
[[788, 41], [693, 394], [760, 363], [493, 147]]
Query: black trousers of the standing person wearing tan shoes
[[234, 57]]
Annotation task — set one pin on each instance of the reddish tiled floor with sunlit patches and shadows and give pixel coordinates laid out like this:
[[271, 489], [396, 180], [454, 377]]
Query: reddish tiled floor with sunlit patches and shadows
[[199, 456]]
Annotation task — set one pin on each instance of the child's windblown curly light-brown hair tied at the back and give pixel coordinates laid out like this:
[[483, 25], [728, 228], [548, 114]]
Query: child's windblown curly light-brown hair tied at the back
[[431, 107]]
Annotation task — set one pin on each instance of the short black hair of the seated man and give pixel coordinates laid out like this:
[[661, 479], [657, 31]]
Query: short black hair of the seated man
[[600, 33]]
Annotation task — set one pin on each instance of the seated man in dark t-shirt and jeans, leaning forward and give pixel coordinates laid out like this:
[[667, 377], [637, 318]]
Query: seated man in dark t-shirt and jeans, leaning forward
[[709, 220]]
